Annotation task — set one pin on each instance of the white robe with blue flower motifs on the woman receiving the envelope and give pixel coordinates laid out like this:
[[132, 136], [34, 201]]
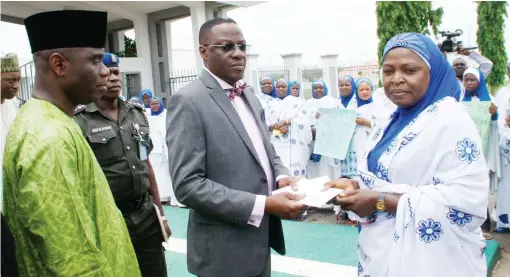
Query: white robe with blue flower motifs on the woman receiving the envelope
[[444, 186]]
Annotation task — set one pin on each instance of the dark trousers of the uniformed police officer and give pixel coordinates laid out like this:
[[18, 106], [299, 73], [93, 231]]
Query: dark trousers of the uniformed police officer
[[147, 238]]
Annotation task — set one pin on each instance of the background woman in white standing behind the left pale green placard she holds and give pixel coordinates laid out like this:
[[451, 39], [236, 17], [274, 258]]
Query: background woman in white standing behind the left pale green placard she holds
[[318, 166]]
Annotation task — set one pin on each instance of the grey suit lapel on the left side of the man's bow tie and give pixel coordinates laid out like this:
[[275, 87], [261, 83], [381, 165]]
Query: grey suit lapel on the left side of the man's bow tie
[[220, 97]]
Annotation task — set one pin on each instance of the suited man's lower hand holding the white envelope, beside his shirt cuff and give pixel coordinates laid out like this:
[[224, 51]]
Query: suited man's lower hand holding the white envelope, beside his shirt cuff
[[284, 205]]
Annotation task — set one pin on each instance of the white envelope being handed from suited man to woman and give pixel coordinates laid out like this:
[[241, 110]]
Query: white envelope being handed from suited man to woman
[[312, 189]]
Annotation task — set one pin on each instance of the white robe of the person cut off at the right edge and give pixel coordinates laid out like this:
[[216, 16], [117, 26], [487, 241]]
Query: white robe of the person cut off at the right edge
[[503, 188]]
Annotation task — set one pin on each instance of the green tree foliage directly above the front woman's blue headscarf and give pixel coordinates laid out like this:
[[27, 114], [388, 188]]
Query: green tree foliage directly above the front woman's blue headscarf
[[395, 17]]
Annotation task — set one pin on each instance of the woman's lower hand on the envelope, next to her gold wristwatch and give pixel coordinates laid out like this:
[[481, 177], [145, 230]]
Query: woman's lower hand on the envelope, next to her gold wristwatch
[[361, 202]]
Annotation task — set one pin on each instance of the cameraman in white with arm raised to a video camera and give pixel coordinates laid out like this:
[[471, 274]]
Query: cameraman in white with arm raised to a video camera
[[460, 65]]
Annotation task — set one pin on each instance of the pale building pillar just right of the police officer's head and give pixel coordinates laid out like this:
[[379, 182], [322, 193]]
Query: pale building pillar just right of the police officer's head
[[144, 52]]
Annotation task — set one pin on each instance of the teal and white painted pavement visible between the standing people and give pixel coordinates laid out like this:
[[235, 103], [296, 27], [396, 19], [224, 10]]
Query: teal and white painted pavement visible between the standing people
[[309, 251]]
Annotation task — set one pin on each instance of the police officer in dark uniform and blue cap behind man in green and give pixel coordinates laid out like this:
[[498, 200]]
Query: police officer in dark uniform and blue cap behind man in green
[[118, 133]]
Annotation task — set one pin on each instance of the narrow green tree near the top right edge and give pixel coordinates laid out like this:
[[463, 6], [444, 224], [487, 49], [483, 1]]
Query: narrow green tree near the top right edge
[[491, 40]]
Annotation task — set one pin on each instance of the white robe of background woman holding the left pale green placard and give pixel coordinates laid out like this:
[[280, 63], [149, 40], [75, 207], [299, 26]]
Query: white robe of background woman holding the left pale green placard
[[310, 110]]
